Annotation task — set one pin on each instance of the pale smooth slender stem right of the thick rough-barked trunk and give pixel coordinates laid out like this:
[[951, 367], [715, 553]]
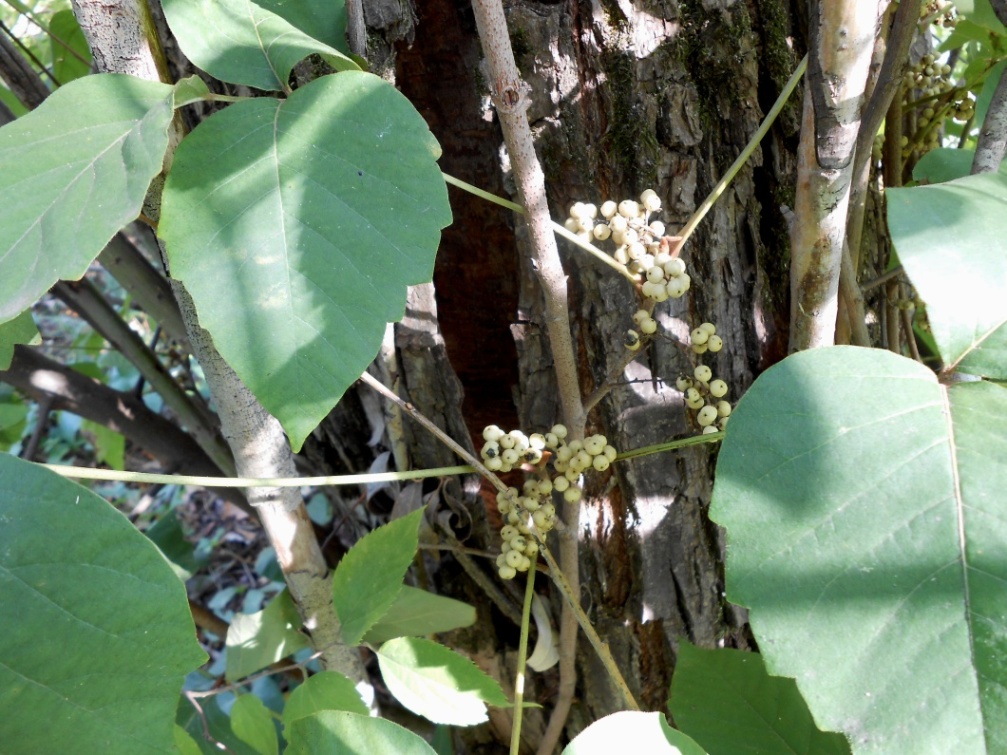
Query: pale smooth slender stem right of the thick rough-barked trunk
[[842, 41]]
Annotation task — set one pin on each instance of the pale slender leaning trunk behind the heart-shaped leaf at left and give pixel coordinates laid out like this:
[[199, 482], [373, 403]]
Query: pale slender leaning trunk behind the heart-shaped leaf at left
[[123, 40]]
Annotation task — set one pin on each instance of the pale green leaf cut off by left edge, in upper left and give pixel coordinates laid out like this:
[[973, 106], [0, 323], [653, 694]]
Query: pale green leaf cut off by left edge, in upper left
[[73, 173]]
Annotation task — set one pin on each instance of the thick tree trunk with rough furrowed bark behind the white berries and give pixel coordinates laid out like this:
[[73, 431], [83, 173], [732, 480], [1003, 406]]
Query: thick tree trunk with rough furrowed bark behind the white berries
[[622, 100]]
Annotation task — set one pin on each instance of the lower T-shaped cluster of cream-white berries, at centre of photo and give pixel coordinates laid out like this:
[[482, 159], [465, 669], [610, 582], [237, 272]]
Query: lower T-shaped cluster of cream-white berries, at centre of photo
[[534, 502]]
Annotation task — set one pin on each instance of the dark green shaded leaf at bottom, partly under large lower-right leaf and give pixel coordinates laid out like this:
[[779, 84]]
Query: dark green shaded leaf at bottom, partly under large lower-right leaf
[[728, 703]]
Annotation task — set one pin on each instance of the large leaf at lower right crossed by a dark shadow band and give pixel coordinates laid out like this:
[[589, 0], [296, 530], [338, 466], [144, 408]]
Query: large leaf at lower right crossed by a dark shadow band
[[865, 510]]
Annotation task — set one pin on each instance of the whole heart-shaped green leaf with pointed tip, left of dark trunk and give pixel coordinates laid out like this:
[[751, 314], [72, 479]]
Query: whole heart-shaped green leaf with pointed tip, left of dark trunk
[[306, 220]]
